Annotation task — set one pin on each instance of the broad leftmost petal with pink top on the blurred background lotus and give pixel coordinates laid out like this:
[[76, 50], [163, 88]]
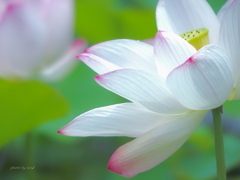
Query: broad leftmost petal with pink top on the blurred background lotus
[[23, 40]]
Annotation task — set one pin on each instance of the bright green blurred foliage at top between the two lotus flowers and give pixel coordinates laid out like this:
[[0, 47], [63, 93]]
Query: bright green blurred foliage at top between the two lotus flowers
[[99, 21]]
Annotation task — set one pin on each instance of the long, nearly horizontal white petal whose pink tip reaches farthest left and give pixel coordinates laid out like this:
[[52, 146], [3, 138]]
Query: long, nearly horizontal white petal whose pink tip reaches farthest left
[[127, 119]]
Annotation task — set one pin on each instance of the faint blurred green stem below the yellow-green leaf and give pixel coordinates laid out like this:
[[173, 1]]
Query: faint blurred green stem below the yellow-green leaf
[[29, 160]]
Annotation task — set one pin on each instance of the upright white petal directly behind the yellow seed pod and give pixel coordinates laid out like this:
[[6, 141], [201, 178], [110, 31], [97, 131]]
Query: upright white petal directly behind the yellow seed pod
[[180, 16]]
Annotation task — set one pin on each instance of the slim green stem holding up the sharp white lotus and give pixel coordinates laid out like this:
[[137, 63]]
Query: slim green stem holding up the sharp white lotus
[[219, 146]]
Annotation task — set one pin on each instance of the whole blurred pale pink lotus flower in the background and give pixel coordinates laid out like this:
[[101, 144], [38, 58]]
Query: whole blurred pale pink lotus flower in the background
[[36, 38]]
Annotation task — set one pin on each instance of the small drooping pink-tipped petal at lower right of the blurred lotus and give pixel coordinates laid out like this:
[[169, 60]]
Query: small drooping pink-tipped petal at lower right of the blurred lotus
[[63, 66]]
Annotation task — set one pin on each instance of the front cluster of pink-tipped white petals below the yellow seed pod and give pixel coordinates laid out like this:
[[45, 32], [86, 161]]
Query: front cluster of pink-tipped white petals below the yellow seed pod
[[171, 87]]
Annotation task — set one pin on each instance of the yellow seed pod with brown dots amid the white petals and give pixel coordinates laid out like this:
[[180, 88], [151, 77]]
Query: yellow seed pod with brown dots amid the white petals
[[198, 38]]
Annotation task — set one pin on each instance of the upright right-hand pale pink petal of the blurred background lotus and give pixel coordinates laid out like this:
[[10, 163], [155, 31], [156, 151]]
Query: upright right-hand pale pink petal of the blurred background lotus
[[58, 16]]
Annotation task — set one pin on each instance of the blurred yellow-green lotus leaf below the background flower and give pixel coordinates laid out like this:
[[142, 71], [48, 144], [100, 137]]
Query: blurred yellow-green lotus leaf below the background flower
[[27, 104]]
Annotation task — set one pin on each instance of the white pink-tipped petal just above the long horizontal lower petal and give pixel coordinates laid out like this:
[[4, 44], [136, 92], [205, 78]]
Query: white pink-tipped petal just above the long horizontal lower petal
[[141, 87]]
